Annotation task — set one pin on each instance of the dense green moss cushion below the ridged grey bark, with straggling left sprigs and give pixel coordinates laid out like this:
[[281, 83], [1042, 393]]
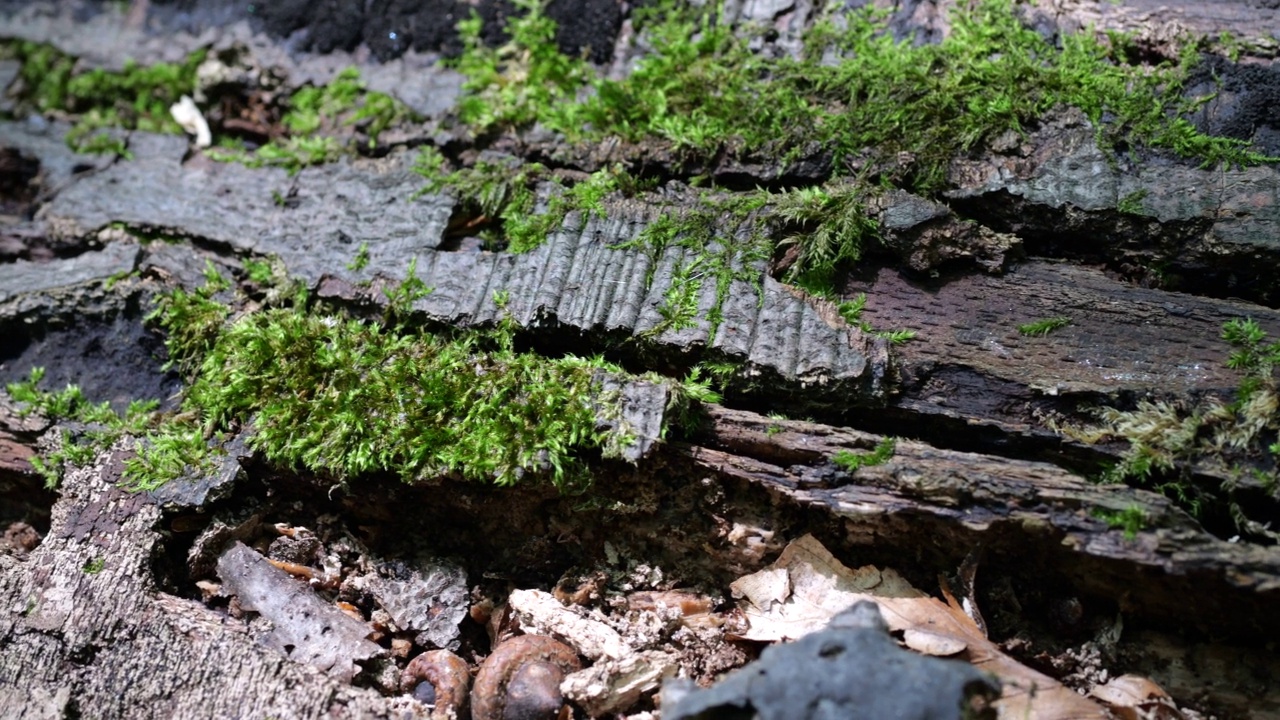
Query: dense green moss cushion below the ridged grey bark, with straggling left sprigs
[[345, 397]]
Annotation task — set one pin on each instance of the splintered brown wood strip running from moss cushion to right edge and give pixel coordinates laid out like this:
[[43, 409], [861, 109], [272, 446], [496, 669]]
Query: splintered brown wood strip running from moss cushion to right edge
[[1172, 571]]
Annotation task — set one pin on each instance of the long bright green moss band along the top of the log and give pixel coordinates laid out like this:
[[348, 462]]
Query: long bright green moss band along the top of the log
[[856, 92]]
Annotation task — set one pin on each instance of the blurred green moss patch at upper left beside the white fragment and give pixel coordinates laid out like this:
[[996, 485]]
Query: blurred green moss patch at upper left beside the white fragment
[[134, 98]]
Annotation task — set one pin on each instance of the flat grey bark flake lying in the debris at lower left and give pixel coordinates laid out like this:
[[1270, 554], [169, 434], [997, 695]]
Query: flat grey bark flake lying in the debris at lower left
[[305, 628]]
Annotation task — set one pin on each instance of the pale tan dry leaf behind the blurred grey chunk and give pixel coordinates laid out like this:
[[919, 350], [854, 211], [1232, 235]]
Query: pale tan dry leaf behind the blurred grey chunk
[[807, 586]]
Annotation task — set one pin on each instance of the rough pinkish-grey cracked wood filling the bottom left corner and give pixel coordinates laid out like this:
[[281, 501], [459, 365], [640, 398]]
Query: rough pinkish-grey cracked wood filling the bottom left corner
[[86, 632]]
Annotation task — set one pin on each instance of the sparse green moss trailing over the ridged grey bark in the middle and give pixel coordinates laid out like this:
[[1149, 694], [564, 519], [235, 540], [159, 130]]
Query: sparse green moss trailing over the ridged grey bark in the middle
[[723, 236]]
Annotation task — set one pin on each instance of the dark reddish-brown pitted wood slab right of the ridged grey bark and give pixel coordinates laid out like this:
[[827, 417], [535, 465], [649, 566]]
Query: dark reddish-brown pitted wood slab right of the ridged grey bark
[[982, 382]]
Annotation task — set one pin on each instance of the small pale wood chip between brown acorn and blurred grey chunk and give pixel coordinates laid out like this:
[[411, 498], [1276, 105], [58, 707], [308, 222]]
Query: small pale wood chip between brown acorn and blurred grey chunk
[[615, 686]]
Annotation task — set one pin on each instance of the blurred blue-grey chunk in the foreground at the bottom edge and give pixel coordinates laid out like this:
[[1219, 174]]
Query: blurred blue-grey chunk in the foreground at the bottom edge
[[852, 669]]
